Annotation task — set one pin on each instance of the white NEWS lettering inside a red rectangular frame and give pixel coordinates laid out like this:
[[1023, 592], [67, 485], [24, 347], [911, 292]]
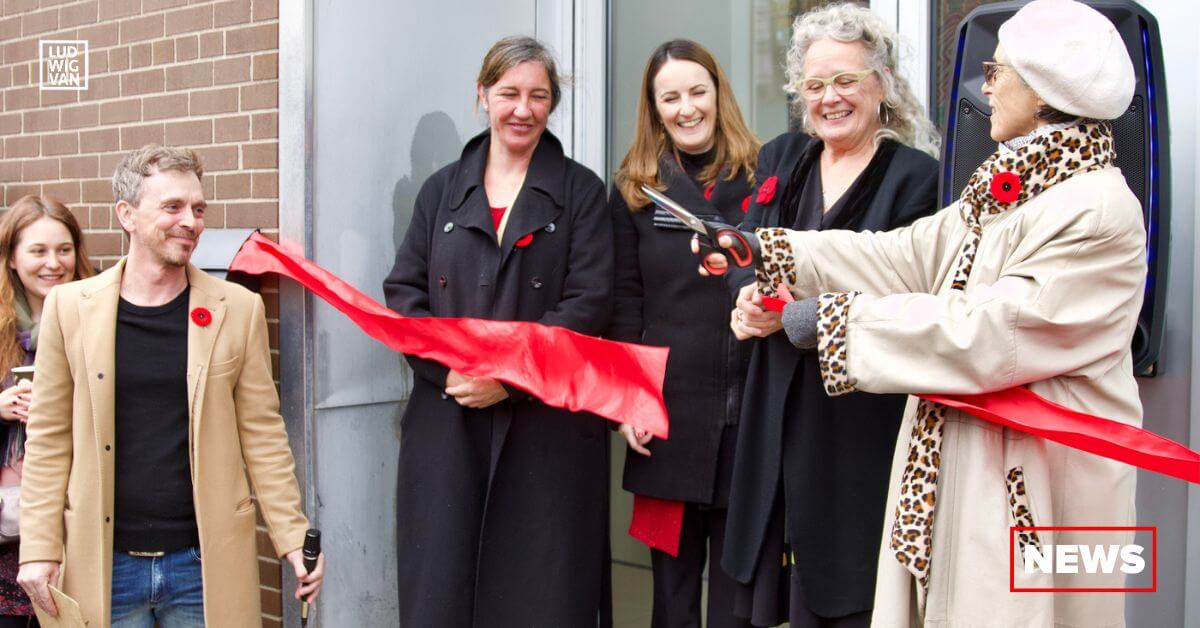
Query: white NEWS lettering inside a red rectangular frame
[[1090, 552]]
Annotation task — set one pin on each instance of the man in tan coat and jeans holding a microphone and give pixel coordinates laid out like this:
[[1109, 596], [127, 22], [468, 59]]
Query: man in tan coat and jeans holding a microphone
[[154, 406]]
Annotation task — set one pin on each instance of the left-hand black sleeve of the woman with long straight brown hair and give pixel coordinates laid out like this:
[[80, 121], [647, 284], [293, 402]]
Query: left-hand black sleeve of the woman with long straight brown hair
[[627, 289]]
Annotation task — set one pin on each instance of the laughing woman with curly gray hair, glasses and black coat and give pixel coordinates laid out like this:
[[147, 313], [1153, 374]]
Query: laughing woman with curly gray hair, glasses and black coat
[[811, 477]]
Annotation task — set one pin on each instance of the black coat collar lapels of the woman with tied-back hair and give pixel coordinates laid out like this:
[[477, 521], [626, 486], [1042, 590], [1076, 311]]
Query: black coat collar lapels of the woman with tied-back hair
[[547, 169]]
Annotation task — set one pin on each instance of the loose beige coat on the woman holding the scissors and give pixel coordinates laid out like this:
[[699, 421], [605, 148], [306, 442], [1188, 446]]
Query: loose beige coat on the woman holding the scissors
[[1052, 303]]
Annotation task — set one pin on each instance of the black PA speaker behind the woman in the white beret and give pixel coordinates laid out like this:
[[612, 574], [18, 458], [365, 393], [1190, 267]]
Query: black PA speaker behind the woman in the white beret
[[1141, 140]]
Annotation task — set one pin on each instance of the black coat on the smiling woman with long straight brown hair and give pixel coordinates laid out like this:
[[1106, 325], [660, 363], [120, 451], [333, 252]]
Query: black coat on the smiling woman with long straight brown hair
[[661, 300]]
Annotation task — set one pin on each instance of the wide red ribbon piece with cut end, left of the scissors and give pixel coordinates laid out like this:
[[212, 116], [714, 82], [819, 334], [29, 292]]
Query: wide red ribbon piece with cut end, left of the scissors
[[619, 381]]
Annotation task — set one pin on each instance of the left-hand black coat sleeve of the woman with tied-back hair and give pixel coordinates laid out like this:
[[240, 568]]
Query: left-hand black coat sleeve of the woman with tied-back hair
[[406, 289]]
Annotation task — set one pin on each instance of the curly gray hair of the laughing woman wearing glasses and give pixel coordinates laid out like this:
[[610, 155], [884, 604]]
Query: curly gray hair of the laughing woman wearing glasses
[[848, 22]]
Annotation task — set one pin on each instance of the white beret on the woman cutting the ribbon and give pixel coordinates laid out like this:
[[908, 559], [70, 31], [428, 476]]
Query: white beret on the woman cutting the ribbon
[[1072, 57]]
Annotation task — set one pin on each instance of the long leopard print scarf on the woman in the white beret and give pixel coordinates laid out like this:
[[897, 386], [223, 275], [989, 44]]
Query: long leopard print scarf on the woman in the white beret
[[1006, 181]]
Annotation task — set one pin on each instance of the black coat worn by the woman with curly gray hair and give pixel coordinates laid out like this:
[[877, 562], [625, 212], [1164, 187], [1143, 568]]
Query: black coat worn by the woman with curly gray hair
[[830, 458]]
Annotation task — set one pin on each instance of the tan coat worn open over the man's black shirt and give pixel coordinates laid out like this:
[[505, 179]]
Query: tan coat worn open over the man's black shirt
[[236, 432]]
